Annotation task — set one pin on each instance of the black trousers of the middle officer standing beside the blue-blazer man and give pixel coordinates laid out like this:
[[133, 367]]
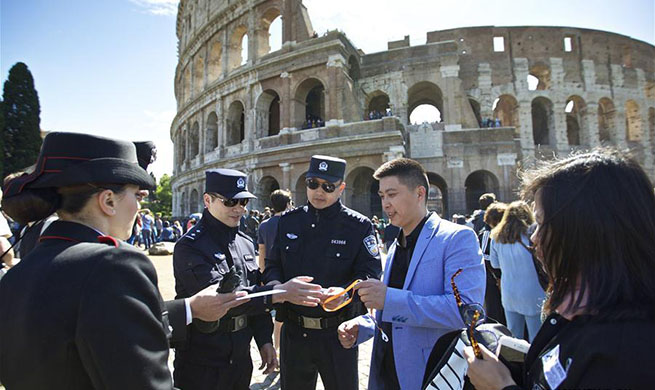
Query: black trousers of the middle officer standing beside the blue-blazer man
[[304, 353]]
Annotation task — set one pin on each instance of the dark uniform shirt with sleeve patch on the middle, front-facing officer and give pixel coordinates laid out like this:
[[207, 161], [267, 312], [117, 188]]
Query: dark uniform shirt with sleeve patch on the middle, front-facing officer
[[335, 245]]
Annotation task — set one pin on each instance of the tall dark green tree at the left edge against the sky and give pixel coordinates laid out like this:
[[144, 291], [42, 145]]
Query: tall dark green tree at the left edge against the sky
[[21, 134]]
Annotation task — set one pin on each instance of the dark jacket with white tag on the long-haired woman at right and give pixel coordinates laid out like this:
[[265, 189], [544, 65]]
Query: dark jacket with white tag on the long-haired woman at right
[[586, 353]]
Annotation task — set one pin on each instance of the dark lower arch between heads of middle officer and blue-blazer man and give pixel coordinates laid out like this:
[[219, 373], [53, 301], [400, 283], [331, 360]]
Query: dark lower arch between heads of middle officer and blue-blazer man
[[362, 191]]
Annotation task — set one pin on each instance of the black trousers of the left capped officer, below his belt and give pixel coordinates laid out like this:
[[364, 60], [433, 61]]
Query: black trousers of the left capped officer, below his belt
[[233, 376]]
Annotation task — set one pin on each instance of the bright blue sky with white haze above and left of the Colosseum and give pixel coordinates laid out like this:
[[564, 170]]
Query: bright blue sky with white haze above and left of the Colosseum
[[107, 67]]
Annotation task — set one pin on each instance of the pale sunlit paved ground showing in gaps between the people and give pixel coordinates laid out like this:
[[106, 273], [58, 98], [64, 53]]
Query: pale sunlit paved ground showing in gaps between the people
[[164, 267]]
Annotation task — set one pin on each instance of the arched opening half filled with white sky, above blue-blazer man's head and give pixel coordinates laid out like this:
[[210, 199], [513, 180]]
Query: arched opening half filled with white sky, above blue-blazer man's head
[[421, 96]]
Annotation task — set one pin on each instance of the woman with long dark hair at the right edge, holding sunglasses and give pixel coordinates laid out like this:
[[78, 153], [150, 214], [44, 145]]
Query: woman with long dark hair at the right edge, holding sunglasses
[[596, 238]]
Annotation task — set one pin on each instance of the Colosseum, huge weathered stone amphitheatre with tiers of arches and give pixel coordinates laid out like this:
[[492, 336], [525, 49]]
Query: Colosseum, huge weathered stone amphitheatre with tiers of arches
[[505, 96]]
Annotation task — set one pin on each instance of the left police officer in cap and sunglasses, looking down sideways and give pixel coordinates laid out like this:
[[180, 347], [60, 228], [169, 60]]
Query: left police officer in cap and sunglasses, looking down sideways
[[215, 252]]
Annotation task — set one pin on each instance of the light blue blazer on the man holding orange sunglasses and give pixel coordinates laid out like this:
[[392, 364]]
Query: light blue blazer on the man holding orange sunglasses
[[425, 309]]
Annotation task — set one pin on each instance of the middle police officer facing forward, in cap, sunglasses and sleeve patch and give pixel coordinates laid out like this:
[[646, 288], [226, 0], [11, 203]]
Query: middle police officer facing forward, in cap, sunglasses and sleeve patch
[[334, 245]]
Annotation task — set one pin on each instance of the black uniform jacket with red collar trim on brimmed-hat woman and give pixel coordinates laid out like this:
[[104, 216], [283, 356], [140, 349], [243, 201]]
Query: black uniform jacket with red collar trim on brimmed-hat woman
[[82, 312]]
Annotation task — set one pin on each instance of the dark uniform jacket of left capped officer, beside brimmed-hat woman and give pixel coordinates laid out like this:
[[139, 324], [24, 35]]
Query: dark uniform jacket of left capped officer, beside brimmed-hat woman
[[202, 257]]
